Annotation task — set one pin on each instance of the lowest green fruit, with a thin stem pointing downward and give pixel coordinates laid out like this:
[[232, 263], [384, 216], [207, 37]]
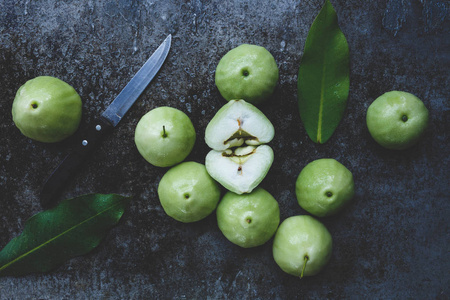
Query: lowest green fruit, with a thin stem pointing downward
[[302, 246]]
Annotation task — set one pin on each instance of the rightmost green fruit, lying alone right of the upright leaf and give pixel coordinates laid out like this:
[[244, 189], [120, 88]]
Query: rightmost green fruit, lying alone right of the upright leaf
[[397, 120]]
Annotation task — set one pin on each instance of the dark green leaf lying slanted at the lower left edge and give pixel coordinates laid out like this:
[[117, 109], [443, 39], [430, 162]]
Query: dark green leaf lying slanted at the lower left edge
[[74, 227]]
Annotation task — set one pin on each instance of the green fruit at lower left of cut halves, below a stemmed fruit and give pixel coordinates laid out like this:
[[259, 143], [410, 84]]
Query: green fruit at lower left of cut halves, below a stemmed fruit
[[187, 193]]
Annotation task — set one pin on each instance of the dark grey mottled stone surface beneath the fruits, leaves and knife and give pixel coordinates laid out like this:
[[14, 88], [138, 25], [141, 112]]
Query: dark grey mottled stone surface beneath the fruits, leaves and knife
[[392, 243]]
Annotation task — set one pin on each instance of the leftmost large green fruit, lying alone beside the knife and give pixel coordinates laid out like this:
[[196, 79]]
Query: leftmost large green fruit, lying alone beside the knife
[[47, 109]]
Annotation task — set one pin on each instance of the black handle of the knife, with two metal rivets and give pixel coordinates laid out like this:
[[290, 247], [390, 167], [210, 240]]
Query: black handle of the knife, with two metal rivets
[[67, 168]]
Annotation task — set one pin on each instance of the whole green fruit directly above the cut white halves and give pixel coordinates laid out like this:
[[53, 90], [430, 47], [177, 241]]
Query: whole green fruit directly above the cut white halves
[[247, 72]]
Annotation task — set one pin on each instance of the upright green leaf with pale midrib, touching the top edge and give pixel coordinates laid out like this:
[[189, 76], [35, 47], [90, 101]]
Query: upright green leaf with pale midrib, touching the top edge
[[323, 77]]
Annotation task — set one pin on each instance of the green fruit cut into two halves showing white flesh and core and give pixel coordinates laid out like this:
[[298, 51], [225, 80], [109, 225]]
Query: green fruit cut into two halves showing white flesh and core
[[240, 160]]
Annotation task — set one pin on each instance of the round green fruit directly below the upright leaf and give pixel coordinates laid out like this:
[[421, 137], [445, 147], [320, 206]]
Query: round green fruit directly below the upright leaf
[[324, 187]]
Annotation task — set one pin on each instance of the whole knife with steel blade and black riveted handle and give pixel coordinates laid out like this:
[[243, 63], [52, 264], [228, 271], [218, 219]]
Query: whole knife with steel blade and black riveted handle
[[102, 125]]
